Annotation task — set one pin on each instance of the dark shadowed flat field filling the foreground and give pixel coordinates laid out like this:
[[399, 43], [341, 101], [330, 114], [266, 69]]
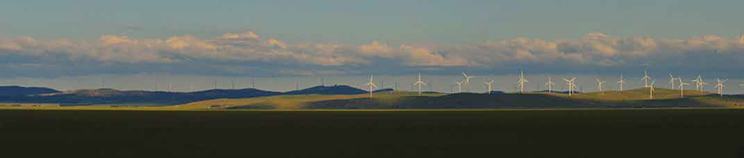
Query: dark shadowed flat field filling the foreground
[[562, 133]]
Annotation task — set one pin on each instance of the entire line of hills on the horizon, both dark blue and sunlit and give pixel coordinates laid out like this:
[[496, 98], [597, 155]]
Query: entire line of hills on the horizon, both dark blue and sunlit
[[346, 97]]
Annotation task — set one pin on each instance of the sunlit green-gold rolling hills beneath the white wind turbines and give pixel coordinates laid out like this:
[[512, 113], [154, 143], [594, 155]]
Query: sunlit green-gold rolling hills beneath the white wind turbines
[[409, 100]]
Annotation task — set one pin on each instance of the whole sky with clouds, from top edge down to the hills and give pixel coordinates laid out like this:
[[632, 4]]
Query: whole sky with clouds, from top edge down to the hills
[[61, 43]]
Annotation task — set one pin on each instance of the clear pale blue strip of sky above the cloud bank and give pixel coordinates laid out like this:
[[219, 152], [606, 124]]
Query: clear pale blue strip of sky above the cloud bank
[[363, 21]]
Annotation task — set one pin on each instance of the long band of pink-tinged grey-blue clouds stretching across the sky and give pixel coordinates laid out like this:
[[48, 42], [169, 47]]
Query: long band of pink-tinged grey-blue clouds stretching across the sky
[[248, 53]]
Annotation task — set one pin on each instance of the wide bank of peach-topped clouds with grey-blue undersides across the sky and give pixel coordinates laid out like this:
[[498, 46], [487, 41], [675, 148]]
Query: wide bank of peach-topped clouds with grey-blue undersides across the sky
[[593, 49]]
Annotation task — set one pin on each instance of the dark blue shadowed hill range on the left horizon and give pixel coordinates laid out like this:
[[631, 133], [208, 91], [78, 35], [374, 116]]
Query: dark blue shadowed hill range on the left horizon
[[17, 94]]
